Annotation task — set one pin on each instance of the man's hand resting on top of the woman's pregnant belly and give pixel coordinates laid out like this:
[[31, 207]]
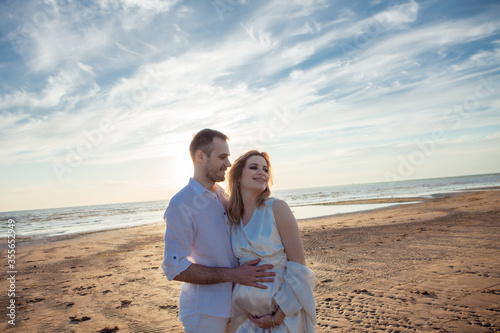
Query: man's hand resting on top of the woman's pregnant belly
[[249, 274]]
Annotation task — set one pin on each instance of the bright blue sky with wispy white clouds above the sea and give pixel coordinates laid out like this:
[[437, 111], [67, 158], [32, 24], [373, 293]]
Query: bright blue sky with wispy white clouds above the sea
[[100, 99]]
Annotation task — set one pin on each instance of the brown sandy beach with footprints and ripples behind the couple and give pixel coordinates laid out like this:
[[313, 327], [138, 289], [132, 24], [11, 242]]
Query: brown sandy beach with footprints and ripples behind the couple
[[431, 266]]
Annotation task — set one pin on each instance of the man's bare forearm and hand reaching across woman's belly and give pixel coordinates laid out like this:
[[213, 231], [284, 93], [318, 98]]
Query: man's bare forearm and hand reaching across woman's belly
[[247, 274]]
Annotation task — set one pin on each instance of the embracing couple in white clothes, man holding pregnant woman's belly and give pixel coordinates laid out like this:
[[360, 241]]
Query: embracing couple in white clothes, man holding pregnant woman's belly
[[239, 256]]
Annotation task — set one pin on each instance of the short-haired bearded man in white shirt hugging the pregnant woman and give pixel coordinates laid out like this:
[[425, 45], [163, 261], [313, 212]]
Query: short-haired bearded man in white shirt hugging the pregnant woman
[[197, 241]]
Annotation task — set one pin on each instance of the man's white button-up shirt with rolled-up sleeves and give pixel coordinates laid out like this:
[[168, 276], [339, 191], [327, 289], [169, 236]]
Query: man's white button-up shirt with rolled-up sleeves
[[198, 230]]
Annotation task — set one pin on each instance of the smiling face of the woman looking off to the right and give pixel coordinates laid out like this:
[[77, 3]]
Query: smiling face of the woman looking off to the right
[[255, 176]]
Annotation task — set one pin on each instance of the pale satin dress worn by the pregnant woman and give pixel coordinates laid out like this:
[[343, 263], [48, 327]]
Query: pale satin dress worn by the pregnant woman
[[260, 239]]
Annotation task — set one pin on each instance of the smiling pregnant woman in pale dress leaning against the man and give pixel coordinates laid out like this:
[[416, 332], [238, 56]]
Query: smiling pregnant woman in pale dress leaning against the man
[[265, 228]]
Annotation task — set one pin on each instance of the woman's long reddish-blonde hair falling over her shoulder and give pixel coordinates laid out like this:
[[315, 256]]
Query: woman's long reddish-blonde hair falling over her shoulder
[[235, 207]]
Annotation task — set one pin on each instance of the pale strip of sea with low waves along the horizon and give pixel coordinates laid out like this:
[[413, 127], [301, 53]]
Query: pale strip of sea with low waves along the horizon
[[55, 222]]
